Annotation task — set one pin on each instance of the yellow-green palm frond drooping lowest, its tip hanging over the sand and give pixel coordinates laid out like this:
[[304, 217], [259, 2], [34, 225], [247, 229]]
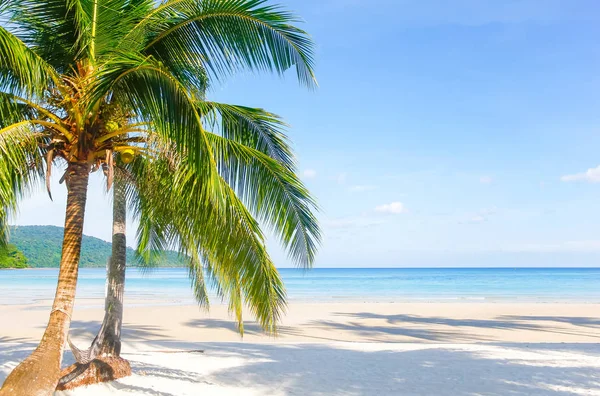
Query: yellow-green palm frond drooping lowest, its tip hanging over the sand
[[221, 232]]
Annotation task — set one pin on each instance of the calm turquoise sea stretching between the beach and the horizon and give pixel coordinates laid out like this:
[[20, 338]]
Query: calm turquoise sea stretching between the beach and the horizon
[[172, 285]]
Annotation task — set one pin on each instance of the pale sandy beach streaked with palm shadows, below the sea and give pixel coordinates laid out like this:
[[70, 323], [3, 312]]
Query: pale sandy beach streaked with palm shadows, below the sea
[[339, 349]]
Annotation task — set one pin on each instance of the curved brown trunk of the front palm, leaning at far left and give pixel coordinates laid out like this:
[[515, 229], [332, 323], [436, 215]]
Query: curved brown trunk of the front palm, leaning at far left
[[39, 373]]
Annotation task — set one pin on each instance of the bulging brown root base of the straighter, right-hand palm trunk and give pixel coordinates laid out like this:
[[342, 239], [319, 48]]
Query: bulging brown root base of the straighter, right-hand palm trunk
[[101, 369]]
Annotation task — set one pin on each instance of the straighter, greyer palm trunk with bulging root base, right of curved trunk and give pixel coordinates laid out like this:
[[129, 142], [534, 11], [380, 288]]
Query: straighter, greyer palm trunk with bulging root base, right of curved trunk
[[103, 362]]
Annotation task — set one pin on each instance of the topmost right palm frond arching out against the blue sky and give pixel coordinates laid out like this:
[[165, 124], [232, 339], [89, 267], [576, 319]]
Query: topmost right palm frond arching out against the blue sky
[[224, 36]]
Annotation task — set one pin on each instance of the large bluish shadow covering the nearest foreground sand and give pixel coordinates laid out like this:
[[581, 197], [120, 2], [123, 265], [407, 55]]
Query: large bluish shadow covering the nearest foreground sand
[[342, 369]]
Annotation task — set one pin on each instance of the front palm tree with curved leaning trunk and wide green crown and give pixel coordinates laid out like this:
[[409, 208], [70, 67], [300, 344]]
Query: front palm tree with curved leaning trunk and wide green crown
[[84, 79]]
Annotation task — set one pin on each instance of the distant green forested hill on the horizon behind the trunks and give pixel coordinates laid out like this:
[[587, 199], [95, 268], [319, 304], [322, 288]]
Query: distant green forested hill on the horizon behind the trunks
[[40, 247]]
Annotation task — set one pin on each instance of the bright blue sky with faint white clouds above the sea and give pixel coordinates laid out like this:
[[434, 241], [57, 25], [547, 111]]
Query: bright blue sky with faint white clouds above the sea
[[439, 136]]
